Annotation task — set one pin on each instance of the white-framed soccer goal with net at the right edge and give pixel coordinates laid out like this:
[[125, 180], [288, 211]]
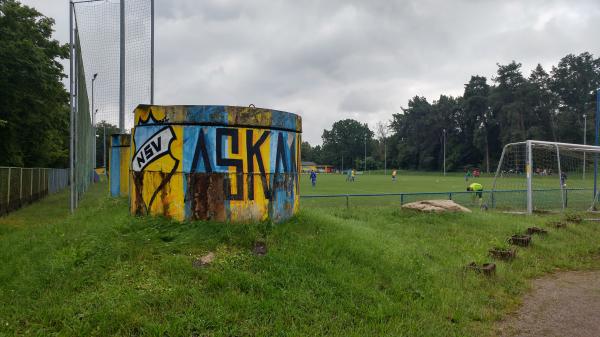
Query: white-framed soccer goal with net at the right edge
[[545, 176]]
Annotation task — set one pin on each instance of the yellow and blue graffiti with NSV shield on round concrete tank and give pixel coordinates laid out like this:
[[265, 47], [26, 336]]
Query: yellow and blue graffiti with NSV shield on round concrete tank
[[188, 168]]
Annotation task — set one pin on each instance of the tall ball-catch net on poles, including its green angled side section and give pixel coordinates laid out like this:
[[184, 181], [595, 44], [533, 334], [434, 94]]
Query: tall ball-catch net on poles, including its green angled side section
[[97, 50]]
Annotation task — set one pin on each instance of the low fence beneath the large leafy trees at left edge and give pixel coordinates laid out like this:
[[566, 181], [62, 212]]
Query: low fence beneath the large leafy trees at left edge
[[20, 186]]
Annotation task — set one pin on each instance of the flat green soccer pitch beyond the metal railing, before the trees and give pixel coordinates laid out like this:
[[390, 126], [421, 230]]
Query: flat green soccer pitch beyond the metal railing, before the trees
[[421, 186]]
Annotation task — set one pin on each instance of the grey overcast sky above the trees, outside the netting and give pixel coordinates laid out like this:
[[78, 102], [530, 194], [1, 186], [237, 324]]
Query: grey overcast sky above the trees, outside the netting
[[329, 60]]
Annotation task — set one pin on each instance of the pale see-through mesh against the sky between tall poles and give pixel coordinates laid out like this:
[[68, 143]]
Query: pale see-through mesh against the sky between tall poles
[[98, 25]]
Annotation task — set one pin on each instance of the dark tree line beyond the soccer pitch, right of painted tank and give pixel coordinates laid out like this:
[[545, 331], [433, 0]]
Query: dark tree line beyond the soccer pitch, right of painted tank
[[511, 107]]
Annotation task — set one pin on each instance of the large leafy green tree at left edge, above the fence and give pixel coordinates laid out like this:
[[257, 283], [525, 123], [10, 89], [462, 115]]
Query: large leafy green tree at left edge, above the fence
[[33, 101]]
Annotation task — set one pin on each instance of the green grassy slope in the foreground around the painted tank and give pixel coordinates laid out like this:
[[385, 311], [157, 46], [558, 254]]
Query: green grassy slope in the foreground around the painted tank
[[372, 271]]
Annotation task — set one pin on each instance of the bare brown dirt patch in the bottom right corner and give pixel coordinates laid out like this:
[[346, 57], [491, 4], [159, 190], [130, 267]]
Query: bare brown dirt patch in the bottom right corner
[[563, 304]]
